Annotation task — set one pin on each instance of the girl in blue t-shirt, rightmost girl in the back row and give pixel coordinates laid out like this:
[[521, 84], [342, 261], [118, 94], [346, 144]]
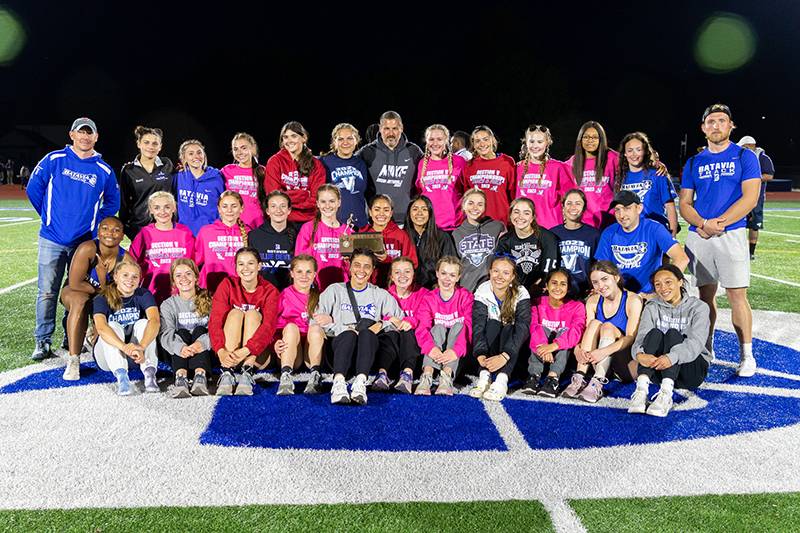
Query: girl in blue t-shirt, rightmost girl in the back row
[[638, 173]]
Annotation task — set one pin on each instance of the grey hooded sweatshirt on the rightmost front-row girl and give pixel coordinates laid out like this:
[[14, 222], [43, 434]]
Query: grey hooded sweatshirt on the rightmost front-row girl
[[690, 317]]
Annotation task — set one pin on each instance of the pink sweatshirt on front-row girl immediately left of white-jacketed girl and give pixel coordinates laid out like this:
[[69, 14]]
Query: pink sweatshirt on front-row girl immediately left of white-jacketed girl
[[433, 310]]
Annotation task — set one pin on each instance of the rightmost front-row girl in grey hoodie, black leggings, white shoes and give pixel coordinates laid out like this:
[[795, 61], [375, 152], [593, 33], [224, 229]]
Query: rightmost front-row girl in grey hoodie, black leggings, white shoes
[[671, 344]]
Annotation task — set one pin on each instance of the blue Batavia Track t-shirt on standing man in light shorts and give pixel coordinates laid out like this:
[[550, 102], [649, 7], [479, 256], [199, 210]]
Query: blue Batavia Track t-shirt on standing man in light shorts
[[717, 180]]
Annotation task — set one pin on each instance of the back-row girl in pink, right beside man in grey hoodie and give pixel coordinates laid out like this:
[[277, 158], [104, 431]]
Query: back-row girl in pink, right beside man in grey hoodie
[[439, 177]]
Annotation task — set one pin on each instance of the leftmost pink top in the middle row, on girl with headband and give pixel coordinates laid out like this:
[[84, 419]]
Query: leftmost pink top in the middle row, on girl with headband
[[155, 250]]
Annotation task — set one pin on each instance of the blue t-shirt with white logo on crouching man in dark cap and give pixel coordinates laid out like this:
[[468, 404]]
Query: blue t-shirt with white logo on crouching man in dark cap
[[638, 253]]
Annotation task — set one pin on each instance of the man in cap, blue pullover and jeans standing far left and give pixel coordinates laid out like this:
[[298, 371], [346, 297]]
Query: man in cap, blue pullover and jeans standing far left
[[72, 190]]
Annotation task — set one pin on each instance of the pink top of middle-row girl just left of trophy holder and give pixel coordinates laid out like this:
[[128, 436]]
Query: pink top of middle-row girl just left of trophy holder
[[325, 249]]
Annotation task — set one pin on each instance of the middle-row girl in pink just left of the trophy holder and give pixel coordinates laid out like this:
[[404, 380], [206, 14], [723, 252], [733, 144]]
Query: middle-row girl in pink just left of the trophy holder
[[319, 238]]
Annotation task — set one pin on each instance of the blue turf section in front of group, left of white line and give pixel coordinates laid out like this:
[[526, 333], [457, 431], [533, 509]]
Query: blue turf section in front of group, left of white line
[[391, 422]]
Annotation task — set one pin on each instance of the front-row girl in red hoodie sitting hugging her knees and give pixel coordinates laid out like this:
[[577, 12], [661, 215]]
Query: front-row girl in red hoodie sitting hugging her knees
[[243, 314]]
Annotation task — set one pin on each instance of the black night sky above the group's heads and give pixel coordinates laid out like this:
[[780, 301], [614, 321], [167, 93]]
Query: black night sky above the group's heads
[[207, 74]]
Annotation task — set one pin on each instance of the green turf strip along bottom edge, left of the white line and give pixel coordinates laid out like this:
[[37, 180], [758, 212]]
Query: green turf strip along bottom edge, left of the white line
[[377, 517]]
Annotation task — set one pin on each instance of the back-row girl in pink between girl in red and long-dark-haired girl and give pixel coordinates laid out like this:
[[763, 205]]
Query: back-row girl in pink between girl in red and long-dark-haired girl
[[540, 178]]
